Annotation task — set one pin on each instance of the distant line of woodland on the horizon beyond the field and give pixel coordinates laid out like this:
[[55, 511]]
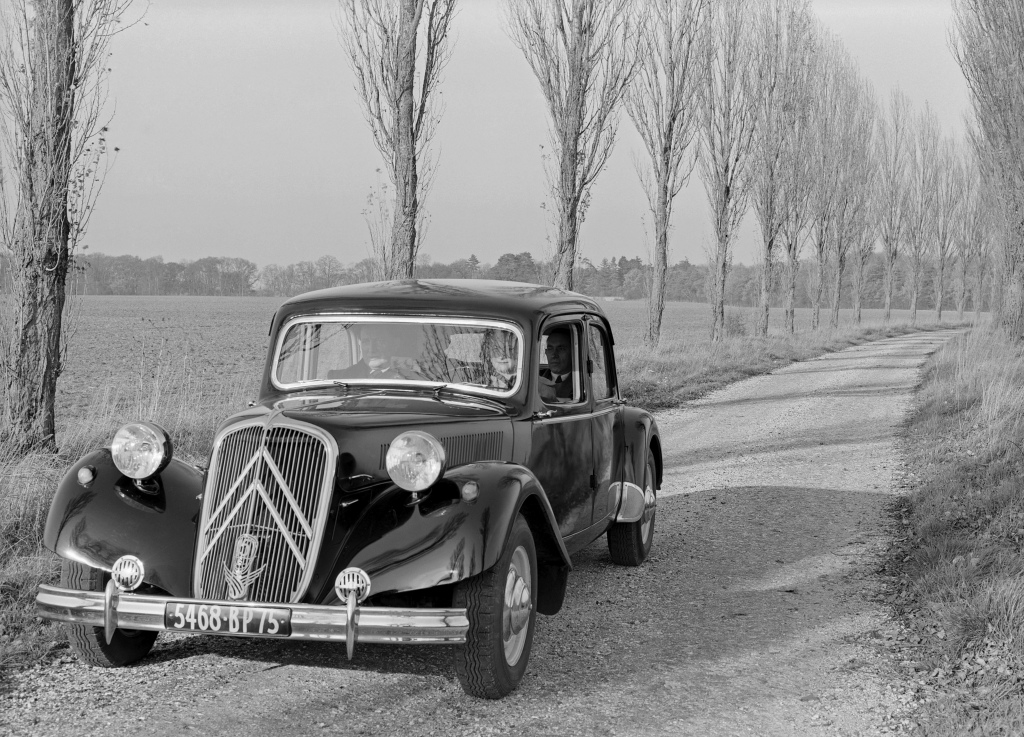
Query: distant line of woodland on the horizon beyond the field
[[617, 279]]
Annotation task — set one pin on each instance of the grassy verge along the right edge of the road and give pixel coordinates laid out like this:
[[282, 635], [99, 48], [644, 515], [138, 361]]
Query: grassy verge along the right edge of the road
[[962, 565]]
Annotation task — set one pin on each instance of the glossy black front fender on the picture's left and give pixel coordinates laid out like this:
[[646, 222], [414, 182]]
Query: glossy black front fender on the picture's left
[[109, 518]]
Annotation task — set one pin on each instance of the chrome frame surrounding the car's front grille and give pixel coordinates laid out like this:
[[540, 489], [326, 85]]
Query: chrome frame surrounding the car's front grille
[[327, 490]]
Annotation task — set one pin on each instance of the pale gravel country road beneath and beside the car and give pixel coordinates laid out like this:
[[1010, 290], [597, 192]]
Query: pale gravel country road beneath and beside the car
[[759, 613]]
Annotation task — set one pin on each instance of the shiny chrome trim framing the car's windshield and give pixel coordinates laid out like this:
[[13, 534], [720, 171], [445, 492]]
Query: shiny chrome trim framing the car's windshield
[[416, 320]]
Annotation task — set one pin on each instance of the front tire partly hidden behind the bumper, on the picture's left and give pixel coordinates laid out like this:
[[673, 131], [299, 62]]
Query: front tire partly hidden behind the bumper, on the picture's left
[[90, 643]]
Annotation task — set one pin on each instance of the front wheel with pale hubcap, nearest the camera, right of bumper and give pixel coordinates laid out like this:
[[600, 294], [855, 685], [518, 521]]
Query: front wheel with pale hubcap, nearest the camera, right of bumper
[[494, 660]]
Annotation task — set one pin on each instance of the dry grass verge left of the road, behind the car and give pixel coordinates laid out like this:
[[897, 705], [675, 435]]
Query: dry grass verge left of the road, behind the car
[[183, 396]]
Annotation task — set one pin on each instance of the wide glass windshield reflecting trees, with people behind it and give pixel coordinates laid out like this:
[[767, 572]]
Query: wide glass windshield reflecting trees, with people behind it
[[478, 355]]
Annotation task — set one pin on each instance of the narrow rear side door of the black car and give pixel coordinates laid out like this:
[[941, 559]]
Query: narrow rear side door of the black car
[[607, 419]]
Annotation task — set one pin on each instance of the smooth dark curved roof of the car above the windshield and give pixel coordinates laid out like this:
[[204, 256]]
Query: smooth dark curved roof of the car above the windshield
[[478, 298]]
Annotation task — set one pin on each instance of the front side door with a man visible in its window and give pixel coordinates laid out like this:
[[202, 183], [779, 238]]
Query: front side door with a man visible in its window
[[562, 448]]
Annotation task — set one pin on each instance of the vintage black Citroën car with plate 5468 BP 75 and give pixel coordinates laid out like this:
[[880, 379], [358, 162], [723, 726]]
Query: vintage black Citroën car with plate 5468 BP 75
[[424, 458]]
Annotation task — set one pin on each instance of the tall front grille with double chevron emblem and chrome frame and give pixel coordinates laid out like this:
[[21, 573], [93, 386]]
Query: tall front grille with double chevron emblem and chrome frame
[[264, 512]]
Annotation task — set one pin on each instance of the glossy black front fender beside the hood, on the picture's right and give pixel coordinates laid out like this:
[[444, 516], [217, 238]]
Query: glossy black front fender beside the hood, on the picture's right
[[434, 544]]
